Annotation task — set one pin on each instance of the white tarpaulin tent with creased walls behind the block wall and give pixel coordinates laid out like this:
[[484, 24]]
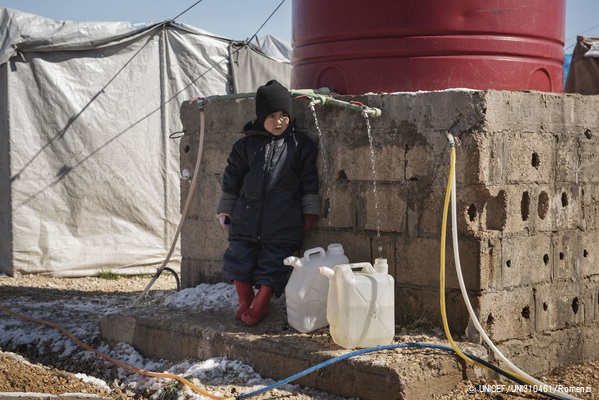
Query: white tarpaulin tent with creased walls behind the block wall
[[89, 179]]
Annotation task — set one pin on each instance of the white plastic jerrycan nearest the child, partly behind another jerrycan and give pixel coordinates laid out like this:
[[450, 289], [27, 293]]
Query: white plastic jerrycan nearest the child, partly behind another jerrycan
[[306, 292]]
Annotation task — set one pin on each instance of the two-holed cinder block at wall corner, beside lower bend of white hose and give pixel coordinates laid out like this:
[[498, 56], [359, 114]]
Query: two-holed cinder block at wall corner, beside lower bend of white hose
[[507, 314]]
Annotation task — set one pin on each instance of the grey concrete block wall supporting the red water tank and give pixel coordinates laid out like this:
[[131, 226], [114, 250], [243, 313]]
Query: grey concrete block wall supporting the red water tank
[[527, 199]]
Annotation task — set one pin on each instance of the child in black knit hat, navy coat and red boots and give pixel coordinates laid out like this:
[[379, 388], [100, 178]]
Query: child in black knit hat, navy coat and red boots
[[269, 200]]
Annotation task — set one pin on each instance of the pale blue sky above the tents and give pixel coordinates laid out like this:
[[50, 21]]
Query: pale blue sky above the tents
[[240, 19]]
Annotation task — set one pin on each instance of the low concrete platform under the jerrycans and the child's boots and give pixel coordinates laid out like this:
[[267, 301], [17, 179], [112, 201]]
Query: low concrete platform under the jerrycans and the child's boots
[[276, 350]]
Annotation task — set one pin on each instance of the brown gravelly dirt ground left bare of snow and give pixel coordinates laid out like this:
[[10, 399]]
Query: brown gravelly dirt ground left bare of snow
[[23, 369]]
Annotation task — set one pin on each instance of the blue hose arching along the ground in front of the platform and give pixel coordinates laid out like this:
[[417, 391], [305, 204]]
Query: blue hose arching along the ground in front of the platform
[[389, 347]]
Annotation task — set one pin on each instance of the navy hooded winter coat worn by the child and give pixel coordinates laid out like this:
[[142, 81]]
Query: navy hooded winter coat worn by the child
[[272, 181]]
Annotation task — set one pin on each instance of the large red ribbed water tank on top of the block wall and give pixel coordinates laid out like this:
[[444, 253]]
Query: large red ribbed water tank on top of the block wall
[[356, 47]]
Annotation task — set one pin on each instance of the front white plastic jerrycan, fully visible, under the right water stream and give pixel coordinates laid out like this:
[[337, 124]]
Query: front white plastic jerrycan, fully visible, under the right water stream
[[361, 304]]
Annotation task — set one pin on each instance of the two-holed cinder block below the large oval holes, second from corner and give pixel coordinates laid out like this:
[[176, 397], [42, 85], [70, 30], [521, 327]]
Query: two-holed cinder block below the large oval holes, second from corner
[[526, 260]]
